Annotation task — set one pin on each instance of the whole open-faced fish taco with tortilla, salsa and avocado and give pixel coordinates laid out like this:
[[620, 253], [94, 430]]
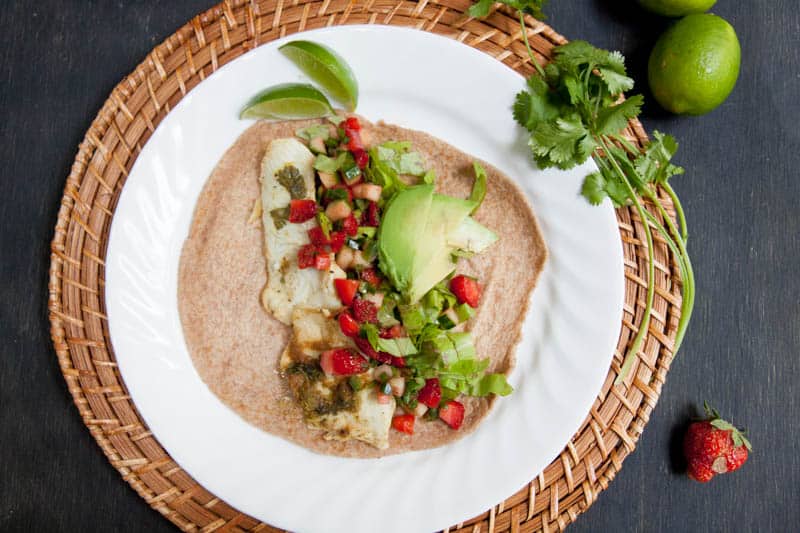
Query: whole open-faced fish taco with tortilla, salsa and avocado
[[357, 288]]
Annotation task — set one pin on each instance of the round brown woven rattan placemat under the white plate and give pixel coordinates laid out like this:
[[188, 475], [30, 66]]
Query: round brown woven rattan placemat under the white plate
[[553, 499]]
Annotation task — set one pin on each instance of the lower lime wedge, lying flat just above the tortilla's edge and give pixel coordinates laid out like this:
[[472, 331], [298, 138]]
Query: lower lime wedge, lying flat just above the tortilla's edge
[[288, 101]]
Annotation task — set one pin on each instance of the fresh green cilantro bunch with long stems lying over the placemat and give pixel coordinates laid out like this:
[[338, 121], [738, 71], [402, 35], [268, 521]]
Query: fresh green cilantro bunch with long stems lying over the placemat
[[574, 109]]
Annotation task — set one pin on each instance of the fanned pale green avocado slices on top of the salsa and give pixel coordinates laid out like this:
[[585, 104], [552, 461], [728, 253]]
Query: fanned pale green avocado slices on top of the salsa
[[418, 234]]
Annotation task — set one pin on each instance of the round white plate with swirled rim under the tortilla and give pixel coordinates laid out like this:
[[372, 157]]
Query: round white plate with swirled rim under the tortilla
[[418, 80]]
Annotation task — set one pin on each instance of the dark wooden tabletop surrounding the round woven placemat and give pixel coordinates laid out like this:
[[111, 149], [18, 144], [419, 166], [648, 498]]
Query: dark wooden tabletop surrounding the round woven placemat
[[61, 58]]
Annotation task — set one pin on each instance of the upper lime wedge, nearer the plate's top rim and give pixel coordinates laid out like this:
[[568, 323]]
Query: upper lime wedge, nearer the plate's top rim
[[325, 67]]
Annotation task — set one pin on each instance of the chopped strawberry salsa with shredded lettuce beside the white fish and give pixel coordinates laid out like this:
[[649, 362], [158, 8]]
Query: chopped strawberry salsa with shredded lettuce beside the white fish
[[414, 351]]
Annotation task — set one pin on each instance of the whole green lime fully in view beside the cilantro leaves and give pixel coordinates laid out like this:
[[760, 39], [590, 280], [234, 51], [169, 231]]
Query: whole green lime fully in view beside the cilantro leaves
[[695, 64]]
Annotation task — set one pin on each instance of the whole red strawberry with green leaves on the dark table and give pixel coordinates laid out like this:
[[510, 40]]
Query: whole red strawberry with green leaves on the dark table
[[714, 446]]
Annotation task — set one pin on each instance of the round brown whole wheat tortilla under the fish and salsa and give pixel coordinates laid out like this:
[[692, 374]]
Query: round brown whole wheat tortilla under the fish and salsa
[[235, 344]]
